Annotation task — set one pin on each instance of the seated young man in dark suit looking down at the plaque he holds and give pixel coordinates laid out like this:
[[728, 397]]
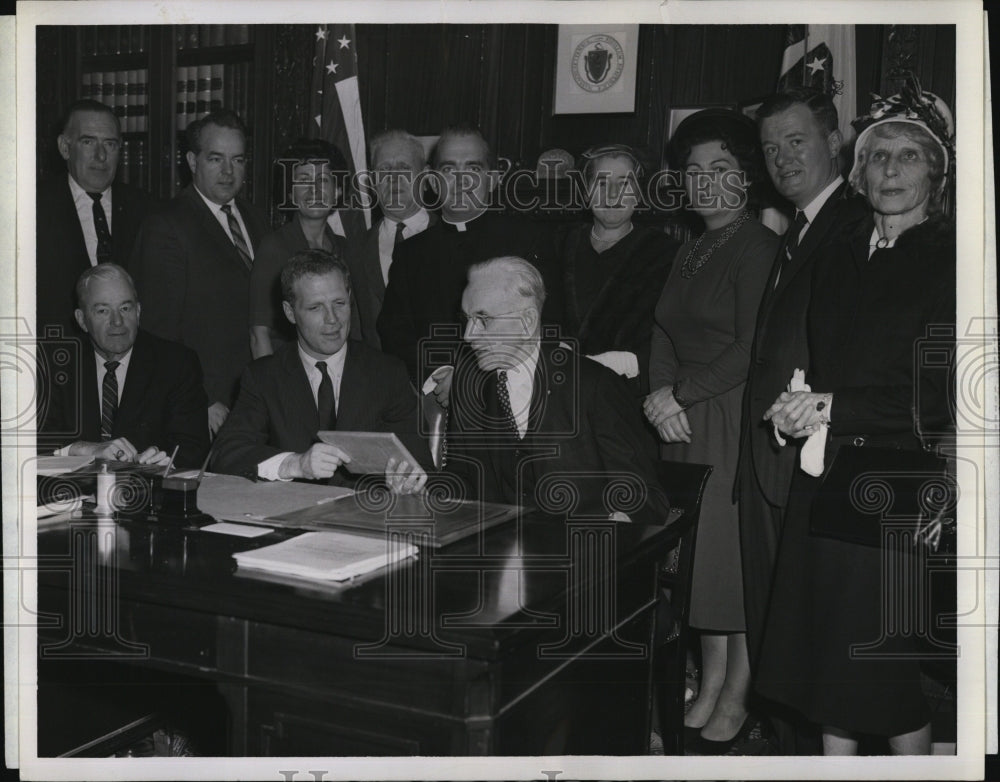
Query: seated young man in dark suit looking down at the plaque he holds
[[321, 382]]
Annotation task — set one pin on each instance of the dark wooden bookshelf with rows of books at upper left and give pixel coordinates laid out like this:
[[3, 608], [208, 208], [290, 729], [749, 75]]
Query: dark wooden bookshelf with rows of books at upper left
[[159, 79]]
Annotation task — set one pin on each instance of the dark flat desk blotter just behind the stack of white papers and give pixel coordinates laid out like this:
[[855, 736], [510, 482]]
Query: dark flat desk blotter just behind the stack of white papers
[[369, 513]]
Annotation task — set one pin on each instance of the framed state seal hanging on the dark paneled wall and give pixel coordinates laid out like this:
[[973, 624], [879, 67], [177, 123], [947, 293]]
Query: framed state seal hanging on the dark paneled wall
[[595, 69]]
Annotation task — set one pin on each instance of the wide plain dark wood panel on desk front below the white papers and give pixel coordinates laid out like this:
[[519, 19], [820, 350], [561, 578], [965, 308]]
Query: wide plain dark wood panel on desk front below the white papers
[[444, 686]]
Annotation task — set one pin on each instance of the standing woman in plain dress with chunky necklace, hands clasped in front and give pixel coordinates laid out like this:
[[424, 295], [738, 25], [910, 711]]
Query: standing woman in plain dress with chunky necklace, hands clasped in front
[[704, 324]]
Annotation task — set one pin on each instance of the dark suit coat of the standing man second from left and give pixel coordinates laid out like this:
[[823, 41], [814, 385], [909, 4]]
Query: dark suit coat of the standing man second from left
[[194, 286]]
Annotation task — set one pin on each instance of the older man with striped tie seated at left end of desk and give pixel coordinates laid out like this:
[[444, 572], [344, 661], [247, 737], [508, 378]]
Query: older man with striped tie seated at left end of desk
[[133, 396]]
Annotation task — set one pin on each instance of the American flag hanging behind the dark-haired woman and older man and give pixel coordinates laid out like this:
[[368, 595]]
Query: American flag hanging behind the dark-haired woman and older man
[[336, 100]]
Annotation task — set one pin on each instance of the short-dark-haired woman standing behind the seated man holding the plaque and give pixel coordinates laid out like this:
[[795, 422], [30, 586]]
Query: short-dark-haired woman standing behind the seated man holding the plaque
[[307, 173]]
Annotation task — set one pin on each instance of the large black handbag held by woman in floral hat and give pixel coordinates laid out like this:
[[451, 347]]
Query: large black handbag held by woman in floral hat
[[869, 489]]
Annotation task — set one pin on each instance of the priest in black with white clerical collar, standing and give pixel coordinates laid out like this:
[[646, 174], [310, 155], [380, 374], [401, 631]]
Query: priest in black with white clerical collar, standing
[[429, 271]]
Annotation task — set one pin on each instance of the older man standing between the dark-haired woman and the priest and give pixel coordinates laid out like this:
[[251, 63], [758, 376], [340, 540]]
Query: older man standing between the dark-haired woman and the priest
[[398, 161]]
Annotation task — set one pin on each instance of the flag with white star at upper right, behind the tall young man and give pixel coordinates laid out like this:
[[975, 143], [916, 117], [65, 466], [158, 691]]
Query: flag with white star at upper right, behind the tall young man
[[823, 56]]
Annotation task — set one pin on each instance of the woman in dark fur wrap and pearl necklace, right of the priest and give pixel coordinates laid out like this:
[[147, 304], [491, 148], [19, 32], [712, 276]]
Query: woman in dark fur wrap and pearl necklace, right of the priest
[[614, 271]]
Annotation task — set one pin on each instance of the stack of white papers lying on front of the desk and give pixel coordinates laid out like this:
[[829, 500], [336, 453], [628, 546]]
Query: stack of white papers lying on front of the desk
[[330, 556]]
